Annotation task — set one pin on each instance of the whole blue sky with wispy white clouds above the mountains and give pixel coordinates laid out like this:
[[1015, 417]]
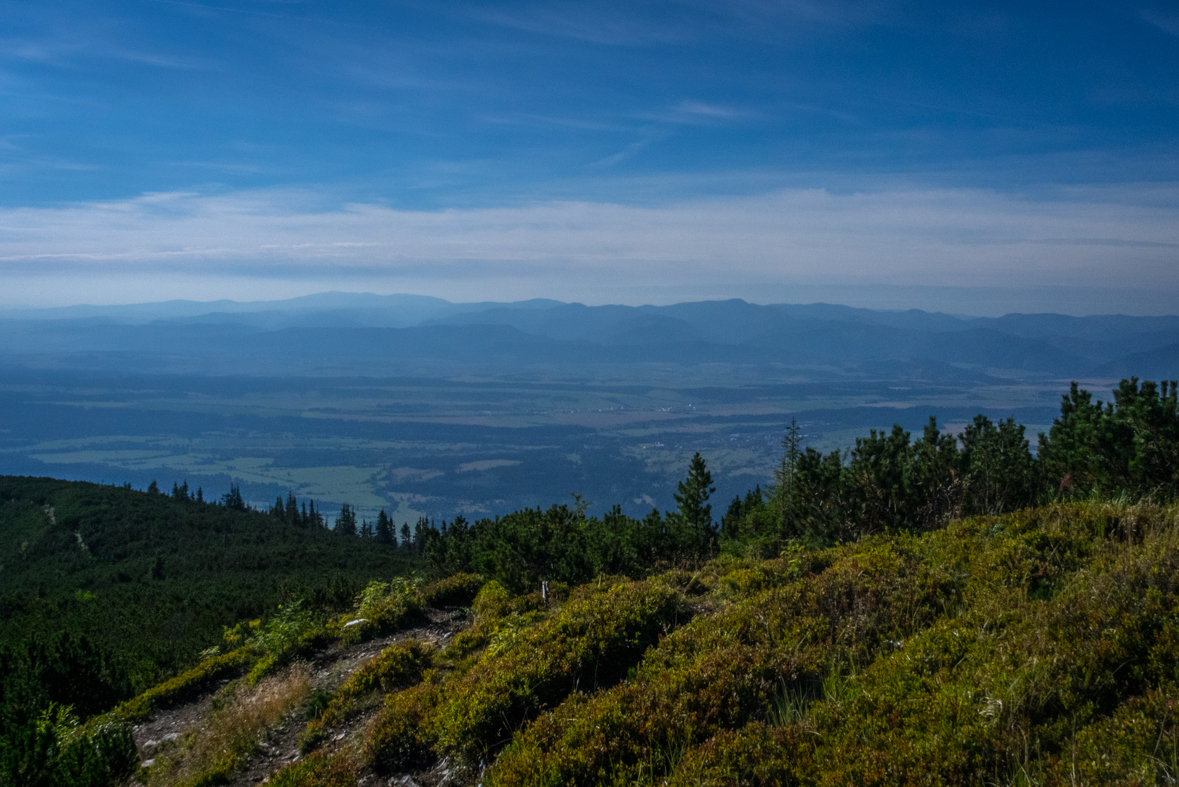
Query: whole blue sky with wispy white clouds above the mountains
[[967, 158]]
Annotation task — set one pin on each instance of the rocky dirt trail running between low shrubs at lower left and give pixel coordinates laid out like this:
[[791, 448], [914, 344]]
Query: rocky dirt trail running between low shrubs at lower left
[[280, 748]]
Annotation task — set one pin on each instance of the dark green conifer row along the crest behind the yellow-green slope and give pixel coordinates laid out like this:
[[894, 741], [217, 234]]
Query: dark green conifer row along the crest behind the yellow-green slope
[[887, 482]]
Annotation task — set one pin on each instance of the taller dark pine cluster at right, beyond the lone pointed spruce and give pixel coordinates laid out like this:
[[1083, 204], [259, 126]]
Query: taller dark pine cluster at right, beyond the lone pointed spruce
[[890, 482]]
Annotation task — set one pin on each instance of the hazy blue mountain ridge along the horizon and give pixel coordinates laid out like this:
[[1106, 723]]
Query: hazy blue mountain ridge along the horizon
[[373, 330]]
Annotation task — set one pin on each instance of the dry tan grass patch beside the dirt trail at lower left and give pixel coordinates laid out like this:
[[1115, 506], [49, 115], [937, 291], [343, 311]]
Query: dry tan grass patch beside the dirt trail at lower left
[[232, 731]]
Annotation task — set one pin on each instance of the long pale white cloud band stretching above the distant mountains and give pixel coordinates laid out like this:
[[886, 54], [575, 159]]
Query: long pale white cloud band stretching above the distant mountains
[[936, 239]]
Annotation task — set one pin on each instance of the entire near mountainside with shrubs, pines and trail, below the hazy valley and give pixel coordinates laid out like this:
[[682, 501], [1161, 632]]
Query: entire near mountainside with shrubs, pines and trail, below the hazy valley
[[933, 611]]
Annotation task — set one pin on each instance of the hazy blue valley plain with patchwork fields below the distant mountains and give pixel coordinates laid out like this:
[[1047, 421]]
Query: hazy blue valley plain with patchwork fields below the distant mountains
[[470, 445]]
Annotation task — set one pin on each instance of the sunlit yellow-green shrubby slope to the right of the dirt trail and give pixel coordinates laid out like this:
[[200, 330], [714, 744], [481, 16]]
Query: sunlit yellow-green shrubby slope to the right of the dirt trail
[[1035, 649]]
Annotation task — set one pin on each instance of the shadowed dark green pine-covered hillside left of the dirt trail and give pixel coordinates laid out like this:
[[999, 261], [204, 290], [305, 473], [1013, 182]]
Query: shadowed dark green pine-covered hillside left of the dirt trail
[[107, 592]]
